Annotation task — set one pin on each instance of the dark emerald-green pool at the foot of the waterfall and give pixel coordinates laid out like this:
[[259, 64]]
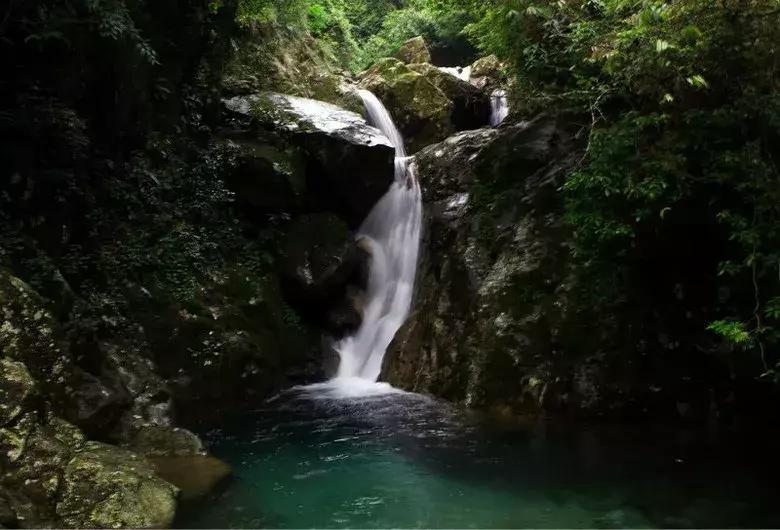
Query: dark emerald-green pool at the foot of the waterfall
[[318, 457]]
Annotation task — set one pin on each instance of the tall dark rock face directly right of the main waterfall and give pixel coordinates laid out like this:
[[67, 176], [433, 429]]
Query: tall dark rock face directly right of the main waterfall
[[495, 323]]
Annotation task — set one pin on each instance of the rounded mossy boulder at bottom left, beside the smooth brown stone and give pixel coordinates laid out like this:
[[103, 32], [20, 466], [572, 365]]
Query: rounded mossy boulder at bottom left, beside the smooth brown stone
[[108, 487]]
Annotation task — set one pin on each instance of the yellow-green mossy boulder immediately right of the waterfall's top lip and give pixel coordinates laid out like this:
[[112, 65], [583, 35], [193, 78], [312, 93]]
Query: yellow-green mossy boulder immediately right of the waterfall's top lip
[[421, 110]]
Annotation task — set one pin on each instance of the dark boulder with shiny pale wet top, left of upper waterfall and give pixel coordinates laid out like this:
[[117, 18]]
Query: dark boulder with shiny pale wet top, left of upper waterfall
[[349, 164]]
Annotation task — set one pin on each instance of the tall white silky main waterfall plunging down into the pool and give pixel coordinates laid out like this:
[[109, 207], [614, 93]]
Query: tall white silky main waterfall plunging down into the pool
[[391, 233]]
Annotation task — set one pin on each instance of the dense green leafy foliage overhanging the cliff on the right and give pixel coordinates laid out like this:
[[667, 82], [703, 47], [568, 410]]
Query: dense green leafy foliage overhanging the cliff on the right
[[685, 130]]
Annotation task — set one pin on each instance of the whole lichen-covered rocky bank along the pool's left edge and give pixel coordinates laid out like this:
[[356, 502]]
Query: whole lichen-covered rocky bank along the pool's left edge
[[50, 474]]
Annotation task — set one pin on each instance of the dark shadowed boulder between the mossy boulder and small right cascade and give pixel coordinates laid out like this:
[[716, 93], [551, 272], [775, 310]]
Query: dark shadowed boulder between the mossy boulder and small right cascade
[[471, 106]]
